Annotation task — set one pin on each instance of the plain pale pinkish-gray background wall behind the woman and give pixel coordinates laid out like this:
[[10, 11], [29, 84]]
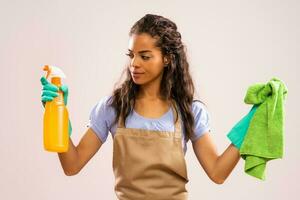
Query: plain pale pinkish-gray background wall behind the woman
[[231, 45]]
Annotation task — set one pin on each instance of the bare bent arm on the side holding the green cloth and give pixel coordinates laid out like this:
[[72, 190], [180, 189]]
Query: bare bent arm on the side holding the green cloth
[[217, 167]]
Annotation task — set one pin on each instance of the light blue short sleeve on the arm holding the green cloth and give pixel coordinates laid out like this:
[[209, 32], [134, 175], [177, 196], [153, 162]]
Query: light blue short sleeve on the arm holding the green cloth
[[202, 120]]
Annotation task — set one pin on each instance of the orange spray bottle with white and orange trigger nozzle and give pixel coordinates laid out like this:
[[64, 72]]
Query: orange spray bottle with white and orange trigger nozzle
[[56, 118]]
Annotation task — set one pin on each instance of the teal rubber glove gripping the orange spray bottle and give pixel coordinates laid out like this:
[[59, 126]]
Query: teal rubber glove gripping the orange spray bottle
[[50, 91]]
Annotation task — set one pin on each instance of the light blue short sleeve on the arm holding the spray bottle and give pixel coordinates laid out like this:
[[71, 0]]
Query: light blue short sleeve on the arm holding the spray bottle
[[101, 118]]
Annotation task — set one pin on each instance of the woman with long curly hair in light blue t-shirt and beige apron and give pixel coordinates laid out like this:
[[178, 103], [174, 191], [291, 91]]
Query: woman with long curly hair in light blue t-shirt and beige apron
[[151, 117]]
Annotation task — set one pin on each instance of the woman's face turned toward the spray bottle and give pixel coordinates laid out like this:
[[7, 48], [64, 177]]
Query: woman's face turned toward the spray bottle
[[146, 60]]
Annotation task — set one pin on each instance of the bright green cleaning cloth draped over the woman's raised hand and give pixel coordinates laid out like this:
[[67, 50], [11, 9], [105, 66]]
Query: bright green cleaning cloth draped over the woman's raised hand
[[264, 139]]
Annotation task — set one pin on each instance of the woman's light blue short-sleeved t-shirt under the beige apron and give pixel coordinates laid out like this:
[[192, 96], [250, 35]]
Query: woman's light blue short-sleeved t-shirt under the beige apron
[[103, 115]]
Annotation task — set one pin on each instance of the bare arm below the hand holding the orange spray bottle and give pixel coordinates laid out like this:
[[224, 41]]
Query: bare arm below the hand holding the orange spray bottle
[[76, 158]]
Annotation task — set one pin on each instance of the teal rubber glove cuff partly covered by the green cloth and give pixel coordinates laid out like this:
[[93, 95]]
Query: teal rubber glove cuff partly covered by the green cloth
[[237, 134]]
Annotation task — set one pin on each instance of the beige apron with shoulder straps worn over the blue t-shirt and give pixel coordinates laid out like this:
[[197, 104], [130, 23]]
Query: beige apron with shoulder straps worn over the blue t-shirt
[[149, 164]]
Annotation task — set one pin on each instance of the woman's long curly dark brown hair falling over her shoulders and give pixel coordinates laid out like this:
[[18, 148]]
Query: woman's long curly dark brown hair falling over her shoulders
[[176, 84]]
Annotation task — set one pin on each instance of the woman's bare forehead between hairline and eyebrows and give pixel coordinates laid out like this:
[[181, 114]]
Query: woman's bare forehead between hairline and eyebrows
[[142, 41]]
